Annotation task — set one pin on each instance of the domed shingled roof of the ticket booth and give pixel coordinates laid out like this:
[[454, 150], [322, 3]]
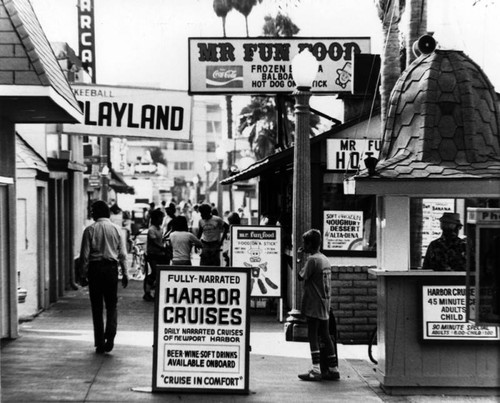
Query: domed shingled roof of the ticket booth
[[443, 123]]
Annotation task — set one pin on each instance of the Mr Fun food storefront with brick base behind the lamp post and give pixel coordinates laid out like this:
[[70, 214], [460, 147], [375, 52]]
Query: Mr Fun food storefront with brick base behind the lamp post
[[346, 222]]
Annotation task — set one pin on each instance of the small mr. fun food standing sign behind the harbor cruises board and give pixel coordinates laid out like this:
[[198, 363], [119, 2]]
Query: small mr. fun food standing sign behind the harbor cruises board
[[259, 249]]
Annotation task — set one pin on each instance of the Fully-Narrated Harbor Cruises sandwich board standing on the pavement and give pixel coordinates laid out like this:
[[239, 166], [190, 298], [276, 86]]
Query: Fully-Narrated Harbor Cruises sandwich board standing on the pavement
[[242, 377]]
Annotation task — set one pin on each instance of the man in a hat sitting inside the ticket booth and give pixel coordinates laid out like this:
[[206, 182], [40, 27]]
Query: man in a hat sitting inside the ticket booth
[[447, 253]]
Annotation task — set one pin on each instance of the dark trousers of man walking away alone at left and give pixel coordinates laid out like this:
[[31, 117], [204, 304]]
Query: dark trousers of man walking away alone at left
[[103, 288]]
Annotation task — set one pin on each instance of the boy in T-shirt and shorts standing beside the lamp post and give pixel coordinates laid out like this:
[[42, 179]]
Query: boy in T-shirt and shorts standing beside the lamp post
[[316, 274]]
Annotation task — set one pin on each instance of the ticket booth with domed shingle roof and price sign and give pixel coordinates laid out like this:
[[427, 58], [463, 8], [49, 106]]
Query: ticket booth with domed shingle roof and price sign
[[440, 153]]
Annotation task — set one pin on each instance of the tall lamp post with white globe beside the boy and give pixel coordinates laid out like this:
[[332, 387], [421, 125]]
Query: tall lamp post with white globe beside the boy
[[304, 70]]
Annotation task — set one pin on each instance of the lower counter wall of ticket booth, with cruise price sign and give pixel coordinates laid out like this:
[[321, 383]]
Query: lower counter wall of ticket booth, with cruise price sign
[[424, 340]]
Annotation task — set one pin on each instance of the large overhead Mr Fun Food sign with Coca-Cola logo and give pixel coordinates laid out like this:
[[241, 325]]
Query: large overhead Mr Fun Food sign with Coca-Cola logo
[[263, 65]]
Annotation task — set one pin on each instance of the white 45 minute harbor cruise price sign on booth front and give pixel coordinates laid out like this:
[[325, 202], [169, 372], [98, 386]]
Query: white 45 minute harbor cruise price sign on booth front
[[444, 316]]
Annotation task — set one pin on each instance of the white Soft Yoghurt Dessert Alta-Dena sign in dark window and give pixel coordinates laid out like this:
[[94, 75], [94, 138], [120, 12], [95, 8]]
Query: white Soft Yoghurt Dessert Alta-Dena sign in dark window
[[342, 230]]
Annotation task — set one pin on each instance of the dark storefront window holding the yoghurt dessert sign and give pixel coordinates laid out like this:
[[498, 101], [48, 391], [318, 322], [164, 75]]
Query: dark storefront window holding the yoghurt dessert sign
[[349, 223]]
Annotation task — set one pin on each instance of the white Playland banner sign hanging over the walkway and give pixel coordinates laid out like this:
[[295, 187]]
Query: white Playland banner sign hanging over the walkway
[[132, 112]]
